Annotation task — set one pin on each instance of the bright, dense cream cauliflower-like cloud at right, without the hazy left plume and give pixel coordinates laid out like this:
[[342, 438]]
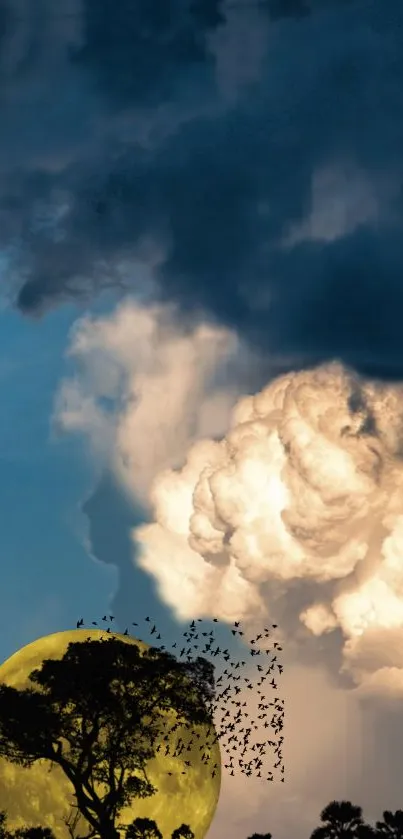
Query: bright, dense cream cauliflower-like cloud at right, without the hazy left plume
[[306, 485]]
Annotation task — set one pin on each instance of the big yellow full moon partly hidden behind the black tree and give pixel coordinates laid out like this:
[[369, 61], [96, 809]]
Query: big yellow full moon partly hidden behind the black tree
[[42, 795]]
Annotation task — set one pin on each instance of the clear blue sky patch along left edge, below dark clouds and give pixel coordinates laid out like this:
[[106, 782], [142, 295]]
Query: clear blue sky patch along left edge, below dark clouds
[[49, 581]]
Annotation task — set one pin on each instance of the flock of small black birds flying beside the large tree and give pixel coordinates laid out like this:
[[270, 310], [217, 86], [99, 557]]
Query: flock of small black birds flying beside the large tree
[[235, 729]]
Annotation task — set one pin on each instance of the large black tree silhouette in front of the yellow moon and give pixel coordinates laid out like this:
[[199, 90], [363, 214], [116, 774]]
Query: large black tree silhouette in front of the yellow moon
[[107, 700]]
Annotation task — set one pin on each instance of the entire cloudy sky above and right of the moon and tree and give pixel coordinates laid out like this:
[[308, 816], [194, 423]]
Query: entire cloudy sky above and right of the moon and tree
[[201, 354]]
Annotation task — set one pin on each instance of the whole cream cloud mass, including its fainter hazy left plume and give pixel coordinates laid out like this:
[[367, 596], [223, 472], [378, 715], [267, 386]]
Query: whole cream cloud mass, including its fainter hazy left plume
[[295, 488]]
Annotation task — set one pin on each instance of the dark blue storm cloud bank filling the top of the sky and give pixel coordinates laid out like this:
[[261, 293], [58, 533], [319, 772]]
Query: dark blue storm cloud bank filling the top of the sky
[[257, 148]]
